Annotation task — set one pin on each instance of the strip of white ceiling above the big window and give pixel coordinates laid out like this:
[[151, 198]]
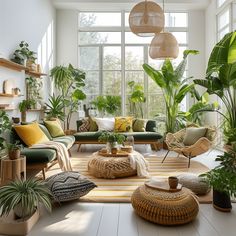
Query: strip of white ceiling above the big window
[[99, 5]]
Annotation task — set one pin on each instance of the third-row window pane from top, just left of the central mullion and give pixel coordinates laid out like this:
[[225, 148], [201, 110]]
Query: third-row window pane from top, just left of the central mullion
[[112, 58]]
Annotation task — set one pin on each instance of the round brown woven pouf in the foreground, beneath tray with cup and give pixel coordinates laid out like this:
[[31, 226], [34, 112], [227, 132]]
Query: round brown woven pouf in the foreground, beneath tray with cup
[[165, 208]]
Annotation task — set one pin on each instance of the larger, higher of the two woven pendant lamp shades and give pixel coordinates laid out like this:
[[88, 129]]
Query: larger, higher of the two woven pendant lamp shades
[[146, 19]]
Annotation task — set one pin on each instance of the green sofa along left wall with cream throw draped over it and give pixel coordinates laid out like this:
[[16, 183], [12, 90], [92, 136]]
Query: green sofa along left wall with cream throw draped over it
[[42, 158]]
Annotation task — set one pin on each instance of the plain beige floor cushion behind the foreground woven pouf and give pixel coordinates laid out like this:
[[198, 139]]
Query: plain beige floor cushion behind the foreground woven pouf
[[194, 183]]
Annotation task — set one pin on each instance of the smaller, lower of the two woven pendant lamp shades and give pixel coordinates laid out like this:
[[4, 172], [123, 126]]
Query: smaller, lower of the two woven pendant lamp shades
[[164, 45]]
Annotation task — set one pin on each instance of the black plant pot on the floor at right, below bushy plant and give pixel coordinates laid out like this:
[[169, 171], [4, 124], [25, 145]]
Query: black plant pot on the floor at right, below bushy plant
[[221, 201]]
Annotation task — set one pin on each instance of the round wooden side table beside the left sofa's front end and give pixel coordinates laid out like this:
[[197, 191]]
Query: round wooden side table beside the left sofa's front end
[[13, 169]]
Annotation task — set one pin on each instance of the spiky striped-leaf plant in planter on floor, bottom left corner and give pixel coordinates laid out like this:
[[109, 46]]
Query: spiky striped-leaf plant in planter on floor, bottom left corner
[[22, 197]]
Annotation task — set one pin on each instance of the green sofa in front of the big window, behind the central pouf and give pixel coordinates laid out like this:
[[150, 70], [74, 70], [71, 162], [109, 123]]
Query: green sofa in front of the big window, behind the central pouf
[[150, 136]]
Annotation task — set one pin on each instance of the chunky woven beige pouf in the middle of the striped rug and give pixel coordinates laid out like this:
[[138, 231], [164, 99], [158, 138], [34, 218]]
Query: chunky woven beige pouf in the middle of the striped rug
[[110, 167]]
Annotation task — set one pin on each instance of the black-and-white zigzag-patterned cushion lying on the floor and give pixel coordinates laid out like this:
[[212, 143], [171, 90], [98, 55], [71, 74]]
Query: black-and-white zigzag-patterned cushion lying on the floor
[[67, 186]]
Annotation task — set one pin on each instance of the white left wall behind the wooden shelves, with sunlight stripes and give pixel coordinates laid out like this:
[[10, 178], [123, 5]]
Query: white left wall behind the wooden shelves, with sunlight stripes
[[34, 22]]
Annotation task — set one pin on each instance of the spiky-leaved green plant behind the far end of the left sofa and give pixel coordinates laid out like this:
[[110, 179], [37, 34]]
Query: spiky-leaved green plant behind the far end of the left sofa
[[55, 107]]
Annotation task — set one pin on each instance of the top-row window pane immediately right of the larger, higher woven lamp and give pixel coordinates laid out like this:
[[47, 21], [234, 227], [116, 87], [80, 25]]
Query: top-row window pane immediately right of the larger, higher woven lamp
[[176, 19]]
